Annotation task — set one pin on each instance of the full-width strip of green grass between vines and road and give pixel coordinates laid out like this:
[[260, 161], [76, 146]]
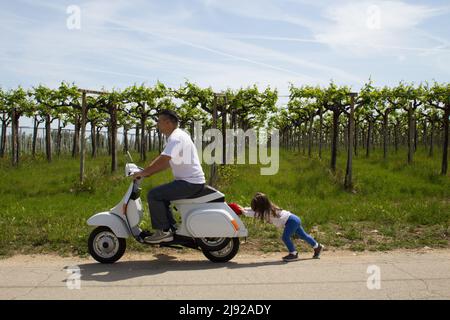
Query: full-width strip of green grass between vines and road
[[43, 207]]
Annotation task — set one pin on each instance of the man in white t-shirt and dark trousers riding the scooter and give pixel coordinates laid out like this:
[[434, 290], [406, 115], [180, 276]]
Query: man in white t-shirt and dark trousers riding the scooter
[[180, 154]]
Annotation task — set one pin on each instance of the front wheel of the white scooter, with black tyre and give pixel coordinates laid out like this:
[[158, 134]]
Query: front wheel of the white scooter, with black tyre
[[104, 246]]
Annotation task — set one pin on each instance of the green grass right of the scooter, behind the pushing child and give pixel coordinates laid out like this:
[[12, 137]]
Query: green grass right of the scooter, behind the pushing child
[[391, 206]]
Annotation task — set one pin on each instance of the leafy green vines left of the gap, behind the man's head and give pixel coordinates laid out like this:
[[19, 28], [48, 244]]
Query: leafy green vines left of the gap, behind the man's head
[[134, 108]]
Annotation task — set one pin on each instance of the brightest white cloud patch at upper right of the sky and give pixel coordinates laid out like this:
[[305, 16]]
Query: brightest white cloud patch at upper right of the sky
[[379, 27]]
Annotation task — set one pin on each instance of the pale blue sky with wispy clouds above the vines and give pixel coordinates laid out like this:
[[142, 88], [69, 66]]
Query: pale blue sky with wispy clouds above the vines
[[223, 44]]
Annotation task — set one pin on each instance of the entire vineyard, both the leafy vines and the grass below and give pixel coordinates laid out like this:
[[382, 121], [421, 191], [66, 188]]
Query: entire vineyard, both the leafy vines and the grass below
[[341, 152]]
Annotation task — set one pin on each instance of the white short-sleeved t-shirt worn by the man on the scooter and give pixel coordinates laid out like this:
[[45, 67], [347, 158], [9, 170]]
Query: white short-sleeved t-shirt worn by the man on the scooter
[[184, 160]]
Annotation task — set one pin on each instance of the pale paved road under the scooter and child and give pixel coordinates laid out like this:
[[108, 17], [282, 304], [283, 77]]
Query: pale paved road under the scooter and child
[[171, 275]]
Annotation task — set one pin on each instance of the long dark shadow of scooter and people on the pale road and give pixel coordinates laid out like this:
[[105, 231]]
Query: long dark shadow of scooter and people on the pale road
[[163, 263]]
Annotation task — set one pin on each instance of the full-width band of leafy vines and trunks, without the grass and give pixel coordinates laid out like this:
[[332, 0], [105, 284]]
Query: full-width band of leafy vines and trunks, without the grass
[[332, 117]]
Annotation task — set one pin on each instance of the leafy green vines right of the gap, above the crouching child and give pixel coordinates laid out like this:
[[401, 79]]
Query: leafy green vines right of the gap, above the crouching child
[[404, 115]]
